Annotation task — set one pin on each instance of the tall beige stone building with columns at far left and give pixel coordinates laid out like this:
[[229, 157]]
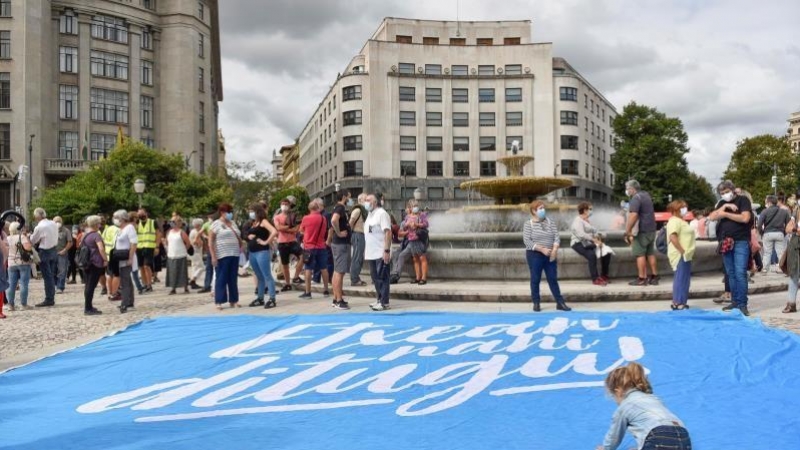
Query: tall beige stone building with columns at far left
[[75, 72]]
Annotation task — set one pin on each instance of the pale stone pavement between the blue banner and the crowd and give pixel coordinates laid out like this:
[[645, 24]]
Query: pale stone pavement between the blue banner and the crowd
[[30, 335]]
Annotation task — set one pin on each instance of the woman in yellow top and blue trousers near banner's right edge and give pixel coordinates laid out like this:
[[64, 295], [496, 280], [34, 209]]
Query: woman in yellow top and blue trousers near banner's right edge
[[680, 252]]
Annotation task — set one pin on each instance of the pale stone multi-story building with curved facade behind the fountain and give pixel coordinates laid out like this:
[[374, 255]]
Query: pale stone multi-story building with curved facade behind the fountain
[[430, 104]]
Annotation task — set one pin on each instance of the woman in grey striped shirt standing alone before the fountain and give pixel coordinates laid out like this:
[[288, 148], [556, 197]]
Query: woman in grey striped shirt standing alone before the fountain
[[541, 250]]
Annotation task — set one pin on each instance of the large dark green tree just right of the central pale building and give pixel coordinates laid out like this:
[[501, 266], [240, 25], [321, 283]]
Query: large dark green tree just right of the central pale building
[[651, 148]]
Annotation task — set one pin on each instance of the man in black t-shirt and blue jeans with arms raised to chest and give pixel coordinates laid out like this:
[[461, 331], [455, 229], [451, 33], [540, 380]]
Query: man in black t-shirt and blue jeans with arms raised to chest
[[733, 233]]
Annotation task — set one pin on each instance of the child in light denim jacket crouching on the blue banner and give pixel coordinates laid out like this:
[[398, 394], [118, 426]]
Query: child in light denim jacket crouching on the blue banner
[[642, 413]]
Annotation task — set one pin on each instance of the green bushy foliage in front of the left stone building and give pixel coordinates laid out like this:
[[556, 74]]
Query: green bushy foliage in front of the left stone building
[[108, 186]]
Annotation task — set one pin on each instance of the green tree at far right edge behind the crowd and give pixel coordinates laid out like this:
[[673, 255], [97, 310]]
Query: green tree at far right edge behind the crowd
[[752, 165]]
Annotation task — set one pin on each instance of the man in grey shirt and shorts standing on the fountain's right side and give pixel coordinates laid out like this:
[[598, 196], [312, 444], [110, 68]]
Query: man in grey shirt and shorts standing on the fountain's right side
[[641, 216]]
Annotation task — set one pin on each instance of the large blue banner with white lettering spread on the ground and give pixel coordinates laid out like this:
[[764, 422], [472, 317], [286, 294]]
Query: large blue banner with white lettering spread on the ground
[[403, 381]]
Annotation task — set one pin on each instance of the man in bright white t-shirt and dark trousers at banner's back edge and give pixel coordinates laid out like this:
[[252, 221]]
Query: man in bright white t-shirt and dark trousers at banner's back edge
[[378, 236]]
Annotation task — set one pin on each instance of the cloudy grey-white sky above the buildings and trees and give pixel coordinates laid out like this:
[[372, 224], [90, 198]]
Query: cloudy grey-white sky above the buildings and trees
[[728, 68]]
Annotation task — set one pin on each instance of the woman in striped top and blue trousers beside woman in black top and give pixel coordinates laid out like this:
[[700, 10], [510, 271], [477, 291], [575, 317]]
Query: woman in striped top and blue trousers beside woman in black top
[[225, 244]]
